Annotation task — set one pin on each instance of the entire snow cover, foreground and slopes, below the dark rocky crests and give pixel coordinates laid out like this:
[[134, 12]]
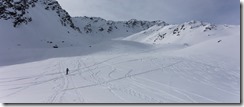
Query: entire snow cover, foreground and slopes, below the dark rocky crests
[[196, 63]]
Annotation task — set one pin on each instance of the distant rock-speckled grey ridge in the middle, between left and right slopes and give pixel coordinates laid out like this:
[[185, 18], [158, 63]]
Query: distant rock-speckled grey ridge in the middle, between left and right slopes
[[93, 25]]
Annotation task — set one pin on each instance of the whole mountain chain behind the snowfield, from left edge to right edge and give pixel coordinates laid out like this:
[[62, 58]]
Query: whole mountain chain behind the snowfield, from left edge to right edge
[[49, 17]]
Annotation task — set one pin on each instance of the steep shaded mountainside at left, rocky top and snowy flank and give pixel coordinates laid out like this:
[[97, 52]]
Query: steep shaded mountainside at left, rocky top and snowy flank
[[50, 27]]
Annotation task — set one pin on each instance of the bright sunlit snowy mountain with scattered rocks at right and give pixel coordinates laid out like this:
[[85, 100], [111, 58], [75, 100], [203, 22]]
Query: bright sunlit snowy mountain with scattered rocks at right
[[187, 34]]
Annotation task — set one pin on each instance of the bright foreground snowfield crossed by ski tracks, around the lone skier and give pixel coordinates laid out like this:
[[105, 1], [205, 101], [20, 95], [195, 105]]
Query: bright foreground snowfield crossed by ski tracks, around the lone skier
[[126, 73]]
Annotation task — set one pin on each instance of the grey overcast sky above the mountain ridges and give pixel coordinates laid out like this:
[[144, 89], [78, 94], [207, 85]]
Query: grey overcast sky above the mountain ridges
[[171, 11]]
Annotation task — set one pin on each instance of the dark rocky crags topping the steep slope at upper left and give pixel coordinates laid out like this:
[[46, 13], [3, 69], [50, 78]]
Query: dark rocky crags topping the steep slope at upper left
[[18, 11]]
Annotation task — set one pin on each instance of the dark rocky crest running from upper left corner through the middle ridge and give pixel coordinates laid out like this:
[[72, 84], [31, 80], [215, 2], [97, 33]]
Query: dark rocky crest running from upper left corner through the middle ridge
[[18, 12]]
